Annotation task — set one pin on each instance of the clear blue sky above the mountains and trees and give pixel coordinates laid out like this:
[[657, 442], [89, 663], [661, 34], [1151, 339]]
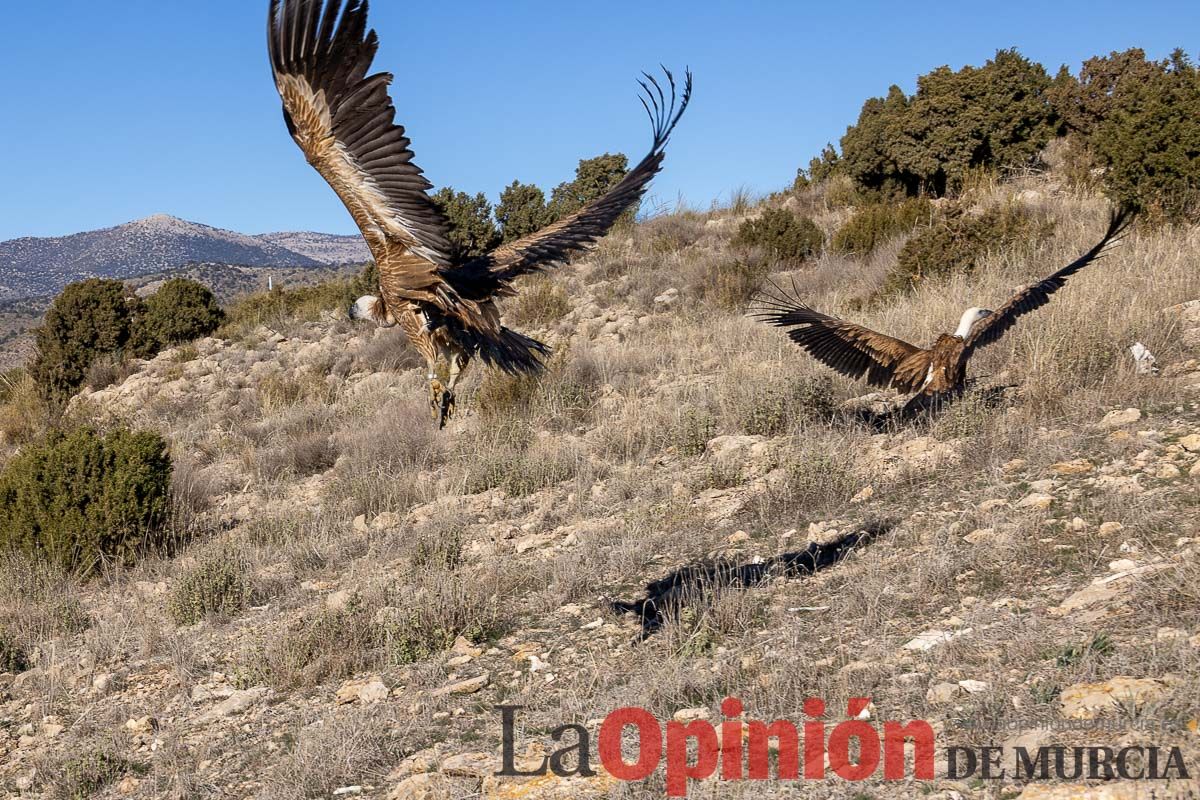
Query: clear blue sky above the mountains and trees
[[119, 110]]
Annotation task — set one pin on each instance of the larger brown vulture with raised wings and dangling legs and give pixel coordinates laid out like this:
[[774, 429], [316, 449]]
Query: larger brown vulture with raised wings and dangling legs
[[344, 121]]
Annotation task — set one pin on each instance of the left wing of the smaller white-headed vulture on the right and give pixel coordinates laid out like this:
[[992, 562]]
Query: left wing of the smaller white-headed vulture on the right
[[851, 350]]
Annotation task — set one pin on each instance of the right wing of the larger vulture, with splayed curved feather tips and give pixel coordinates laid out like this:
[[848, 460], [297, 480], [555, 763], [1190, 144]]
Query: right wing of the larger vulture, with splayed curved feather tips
[[574, 233]]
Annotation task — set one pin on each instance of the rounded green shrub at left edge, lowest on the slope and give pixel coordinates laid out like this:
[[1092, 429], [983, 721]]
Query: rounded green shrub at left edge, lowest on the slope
[[81, 498]]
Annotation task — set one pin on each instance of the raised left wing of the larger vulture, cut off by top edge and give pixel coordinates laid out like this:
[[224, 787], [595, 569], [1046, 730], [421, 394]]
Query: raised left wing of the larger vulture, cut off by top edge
[[344, 122]]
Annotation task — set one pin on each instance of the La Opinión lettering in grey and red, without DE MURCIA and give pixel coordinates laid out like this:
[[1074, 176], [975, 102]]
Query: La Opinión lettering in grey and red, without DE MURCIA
[[742, 750]]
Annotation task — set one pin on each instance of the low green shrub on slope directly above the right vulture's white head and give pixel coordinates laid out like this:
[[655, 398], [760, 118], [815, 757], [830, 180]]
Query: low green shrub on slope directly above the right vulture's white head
[[961, 242]]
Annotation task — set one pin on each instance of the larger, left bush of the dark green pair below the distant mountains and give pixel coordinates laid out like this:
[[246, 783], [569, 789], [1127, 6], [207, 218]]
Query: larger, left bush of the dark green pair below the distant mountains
[[88, 320]]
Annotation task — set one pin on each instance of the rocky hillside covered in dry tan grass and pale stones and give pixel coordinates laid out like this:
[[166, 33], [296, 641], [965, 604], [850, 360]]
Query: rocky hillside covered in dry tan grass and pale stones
[[357, 593]]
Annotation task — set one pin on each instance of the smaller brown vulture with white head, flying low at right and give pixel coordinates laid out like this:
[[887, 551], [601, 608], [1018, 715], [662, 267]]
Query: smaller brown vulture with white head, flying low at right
[[941, 370]]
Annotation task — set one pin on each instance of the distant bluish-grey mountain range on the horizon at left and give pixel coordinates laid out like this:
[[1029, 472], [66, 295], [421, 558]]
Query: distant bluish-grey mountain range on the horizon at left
[[160, 244]]
